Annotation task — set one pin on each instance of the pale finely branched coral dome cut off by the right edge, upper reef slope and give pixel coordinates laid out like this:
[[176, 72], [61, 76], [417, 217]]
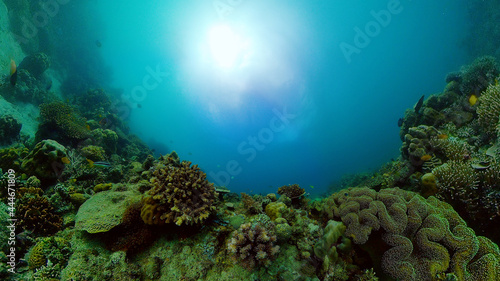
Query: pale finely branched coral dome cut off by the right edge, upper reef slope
[[488, 110]]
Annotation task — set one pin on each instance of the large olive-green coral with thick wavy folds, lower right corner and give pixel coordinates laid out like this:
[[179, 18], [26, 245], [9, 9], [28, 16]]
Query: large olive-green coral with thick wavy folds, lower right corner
[[424, 238]]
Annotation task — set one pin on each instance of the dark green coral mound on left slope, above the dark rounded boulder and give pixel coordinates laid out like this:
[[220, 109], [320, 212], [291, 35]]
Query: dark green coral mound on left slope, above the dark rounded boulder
[[60, 122]]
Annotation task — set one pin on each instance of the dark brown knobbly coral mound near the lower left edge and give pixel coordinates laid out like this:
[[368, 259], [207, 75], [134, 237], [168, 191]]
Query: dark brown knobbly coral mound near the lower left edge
[[36, 213]]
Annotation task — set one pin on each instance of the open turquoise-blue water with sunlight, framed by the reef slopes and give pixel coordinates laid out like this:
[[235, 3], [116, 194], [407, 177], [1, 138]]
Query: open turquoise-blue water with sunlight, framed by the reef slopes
[[290, 106]]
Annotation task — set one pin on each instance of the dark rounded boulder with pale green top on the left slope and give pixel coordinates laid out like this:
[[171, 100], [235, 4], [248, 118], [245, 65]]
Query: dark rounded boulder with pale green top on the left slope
[[45, 160]]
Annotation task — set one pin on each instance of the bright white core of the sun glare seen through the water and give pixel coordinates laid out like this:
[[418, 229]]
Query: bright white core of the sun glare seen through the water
[[225, 45]]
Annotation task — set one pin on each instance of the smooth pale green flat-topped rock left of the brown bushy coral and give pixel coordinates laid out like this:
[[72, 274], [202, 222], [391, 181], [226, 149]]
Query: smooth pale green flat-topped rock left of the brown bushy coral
[[104, 210]]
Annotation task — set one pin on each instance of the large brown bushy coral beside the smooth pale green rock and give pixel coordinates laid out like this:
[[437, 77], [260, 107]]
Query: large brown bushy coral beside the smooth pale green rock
[[180, 194]]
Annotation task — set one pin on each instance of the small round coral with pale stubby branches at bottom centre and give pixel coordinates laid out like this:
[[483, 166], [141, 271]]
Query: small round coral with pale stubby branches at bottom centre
[[253, 245]]
